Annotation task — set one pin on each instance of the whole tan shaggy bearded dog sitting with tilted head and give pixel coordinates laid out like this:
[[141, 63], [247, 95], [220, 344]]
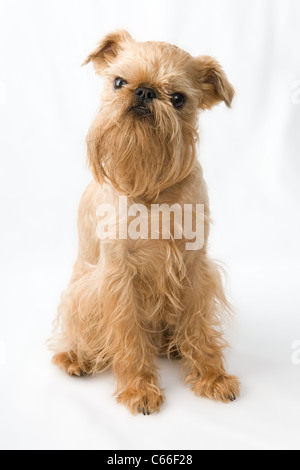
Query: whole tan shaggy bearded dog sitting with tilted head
[[131, 301]]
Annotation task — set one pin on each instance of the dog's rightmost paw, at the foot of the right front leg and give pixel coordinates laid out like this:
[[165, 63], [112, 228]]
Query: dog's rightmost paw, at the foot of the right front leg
[[224, 388]]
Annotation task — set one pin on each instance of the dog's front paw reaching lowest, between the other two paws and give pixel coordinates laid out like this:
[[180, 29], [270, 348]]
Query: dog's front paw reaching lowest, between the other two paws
[[145, 401]]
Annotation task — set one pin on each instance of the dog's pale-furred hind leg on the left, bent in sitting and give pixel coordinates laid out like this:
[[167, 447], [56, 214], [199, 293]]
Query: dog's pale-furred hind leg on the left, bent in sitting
[[78, 336]]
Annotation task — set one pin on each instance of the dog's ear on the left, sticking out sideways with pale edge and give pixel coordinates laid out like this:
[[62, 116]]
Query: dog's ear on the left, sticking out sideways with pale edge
[[107, 50]]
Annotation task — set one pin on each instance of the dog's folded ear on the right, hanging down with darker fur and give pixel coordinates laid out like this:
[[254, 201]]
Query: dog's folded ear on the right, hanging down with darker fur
[[212, 83]]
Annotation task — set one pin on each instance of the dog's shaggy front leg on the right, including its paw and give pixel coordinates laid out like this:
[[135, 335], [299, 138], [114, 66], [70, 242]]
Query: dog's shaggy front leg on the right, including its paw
[[201, 342]]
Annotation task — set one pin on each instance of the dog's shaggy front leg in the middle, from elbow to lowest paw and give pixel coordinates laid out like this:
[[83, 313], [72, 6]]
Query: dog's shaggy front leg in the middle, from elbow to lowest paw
[[133, 353]]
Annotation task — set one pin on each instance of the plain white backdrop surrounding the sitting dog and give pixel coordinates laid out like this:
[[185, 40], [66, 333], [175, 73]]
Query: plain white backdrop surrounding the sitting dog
[[251, 159]]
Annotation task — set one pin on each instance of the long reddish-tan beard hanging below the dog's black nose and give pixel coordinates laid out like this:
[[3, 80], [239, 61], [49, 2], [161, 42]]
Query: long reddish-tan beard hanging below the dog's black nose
[[141, 156]]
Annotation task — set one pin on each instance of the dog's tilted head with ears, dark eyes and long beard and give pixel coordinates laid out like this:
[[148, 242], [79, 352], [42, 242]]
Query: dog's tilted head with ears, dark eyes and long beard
[[143, 138]]
